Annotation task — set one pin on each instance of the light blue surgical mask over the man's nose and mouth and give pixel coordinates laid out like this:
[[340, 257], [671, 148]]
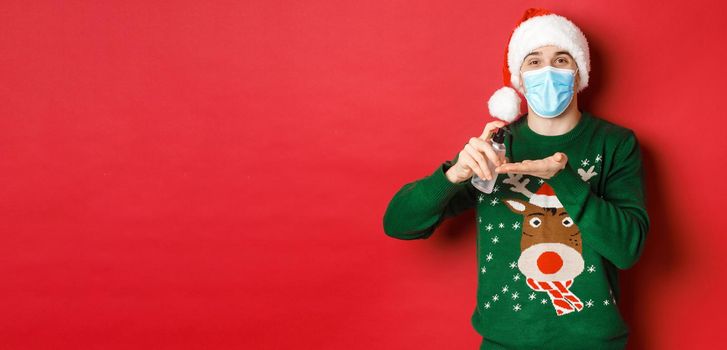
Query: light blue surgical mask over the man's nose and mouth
[[549, 90]]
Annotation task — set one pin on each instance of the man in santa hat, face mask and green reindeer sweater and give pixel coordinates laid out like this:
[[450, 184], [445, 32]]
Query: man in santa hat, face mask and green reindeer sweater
[[567, 211]]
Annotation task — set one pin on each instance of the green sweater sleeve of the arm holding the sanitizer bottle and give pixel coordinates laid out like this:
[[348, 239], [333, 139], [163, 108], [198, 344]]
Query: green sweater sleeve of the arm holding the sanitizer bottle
[[419, 207]]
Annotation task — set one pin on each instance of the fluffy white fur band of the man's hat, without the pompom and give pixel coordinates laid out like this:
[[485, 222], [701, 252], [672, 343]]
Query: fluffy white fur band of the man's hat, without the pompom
[[546, 30]]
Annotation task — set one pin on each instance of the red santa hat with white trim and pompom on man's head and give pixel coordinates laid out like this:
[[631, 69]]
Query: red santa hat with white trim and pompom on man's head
[[538, 27]]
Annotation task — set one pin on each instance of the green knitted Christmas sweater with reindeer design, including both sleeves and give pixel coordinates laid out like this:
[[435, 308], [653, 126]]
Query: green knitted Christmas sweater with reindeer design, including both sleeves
[[548, 250]]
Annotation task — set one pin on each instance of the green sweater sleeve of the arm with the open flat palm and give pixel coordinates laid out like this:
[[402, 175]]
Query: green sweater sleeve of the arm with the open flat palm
[[614, 225]]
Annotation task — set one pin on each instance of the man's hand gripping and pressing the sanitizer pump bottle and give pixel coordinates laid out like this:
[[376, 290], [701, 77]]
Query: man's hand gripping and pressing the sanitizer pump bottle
[[474, 155]]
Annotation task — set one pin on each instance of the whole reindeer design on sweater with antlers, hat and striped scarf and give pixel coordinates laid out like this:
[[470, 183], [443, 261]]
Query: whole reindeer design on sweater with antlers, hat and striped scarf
[[550, 246]]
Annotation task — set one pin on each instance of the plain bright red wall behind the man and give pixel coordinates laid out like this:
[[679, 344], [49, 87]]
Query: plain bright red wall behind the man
[[194, 174]]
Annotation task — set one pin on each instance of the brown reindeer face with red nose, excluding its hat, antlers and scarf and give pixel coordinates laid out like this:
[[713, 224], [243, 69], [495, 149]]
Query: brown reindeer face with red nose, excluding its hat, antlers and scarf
[[551, 243]]
